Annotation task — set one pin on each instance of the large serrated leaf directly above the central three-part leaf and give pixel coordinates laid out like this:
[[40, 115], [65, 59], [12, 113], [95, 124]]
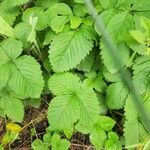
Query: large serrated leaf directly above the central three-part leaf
[[68, 49]]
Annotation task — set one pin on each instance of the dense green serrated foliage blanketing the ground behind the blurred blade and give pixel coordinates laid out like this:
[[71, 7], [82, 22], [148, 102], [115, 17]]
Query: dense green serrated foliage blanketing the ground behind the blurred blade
[[53, 49]]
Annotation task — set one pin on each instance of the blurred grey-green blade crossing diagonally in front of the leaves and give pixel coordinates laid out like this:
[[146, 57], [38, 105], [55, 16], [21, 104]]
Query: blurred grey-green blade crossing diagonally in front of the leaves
[[124, 73]]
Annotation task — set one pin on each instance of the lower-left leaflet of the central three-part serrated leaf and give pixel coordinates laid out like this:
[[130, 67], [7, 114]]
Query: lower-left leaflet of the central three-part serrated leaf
[[63, 111]]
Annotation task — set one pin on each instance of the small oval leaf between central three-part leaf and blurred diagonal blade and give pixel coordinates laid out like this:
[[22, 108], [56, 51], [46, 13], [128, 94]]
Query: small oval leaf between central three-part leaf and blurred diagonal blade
[[116, 95]]
